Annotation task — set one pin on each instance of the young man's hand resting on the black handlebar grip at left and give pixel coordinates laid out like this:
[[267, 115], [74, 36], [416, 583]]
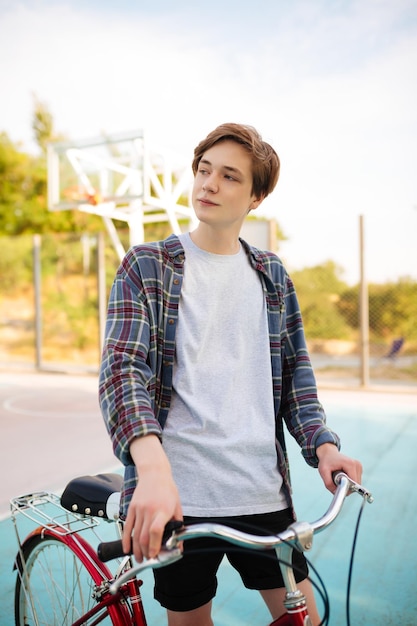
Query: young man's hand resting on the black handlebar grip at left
[[155, 500]]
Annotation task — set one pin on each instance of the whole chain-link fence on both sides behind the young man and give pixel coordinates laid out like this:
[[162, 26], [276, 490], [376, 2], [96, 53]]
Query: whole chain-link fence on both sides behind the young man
[[55, 288]]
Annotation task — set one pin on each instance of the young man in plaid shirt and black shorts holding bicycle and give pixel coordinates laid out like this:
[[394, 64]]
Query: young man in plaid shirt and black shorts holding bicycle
[[204, 360]]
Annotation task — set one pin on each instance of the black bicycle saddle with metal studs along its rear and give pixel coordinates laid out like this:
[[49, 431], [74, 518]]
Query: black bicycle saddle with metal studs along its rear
[[94, 495]]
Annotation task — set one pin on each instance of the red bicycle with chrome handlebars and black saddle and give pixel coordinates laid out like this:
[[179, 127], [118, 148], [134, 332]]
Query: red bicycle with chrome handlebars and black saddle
[[62, 578]]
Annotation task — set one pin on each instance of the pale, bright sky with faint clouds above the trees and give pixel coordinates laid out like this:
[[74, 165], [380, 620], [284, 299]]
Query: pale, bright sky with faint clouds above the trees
[[331, 84]]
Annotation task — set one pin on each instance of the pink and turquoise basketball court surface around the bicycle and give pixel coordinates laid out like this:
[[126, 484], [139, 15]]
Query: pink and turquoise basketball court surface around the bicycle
[[52, 431]]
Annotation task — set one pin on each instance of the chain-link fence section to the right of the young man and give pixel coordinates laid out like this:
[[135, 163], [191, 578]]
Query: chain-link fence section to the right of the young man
[[341, 348]]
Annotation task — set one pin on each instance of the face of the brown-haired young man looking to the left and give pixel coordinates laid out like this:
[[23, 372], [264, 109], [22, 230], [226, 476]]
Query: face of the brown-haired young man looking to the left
[[222, 192]]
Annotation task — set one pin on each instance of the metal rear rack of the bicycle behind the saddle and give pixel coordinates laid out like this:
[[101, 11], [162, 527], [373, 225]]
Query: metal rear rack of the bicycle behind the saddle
[[44, 509]]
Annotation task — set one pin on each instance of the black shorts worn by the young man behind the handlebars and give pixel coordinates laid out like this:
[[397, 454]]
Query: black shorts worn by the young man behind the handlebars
[[192, 582]]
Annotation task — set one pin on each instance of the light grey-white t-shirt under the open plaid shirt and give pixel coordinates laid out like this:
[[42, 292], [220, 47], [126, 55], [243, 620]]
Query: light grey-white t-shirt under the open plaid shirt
[[220, 431]]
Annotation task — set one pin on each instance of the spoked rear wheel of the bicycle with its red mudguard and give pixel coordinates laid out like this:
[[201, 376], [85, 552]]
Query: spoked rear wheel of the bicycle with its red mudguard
[[55, 587]]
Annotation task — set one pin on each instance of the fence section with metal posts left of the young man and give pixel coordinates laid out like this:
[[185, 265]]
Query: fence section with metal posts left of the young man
[[53, 289]]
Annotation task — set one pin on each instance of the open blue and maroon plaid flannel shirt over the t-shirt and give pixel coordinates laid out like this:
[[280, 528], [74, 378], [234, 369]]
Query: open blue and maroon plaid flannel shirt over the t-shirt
[[136, 370]]
